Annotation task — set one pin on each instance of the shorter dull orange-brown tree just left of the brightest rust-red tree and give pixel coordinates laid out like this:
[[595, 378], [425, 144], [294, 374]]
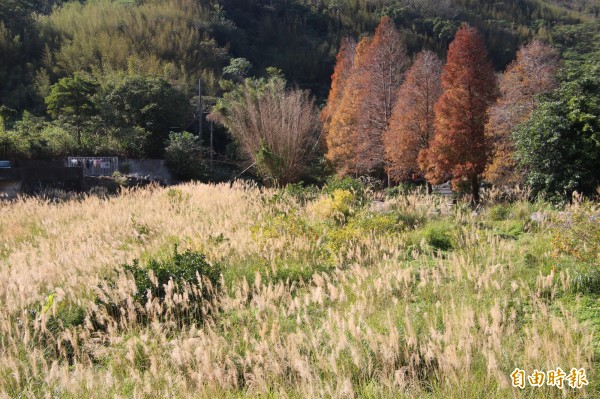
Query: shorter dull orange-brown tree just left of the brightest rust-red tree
[[412, 121]]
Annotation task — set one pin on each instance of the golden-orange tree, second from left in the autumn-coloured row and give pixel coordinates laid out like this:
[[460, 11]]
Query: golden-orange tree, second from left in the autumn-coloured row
[[342, 130]]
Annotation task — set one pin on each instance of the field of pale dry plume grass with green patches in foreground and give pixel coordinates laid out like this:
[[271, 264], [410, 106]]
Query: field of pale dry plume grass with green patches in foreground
[[318, 294]]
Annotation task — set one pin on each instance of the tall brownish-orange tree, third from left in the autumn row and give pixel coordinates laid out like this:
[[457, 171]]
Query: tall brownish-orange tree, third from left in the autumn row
[[381, 76]]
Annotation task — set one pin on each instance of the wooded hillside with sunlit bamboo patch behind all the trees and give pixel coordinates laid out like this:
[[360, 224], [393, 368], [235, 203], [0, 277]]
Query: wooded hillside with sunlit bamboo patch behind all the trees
[[182, 40]]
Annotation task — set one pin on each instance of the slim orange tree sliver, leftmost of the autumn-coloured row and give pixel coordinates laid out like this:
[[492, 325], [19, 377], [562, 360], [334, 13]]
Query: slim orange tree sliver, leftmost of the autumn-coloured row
[[341, 73]]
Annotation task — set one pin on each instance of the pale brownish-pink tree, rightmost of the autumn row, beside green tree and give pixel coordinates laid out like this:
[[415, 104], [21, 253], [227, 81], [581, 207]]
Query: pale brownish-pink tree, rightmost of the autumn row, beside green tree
[[532, 73]]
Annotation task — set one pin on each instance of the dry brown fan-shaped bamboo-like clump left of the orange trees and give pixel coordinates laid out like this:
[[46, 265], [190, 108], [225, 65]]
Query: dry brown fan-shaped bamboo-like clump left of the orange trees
[[276, 128]]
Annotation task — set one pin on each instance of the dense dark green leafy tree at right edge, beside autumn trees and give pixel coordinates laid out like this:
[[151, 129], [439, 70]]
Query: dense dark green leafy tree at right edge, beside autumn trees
[[559, 146]]
